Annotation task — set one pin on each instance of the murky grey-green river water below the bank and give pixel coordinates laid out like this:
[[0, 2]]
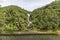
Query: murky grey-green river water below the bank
[[30, 37]]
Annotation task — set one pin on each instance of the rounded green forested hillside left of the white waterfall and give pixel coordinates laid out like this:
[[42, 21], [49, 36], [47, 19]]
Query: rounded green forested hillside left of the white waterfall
[[13, 18]]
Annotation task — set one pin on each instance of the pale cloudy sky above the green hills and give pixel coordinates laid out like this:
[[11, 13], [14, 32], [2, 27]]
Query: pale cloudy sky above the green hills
[[26, 4]]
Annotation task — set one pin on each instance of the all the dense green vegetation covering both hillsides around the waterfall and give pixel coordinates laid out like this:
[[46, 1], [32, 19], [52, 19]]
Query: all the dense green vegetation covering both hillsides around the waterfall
[[14, 18]]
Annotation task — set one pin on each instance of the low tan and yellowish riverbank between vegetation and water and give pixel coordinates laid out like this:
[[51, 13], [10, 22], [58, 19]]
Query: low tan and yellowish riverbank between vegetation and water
[[32, 32]]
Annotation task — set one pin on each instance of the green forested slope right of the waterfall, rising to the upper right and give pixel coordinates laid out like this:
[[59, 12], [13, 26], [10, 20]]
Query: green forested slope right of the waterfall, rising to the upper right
[[47, 17]]
